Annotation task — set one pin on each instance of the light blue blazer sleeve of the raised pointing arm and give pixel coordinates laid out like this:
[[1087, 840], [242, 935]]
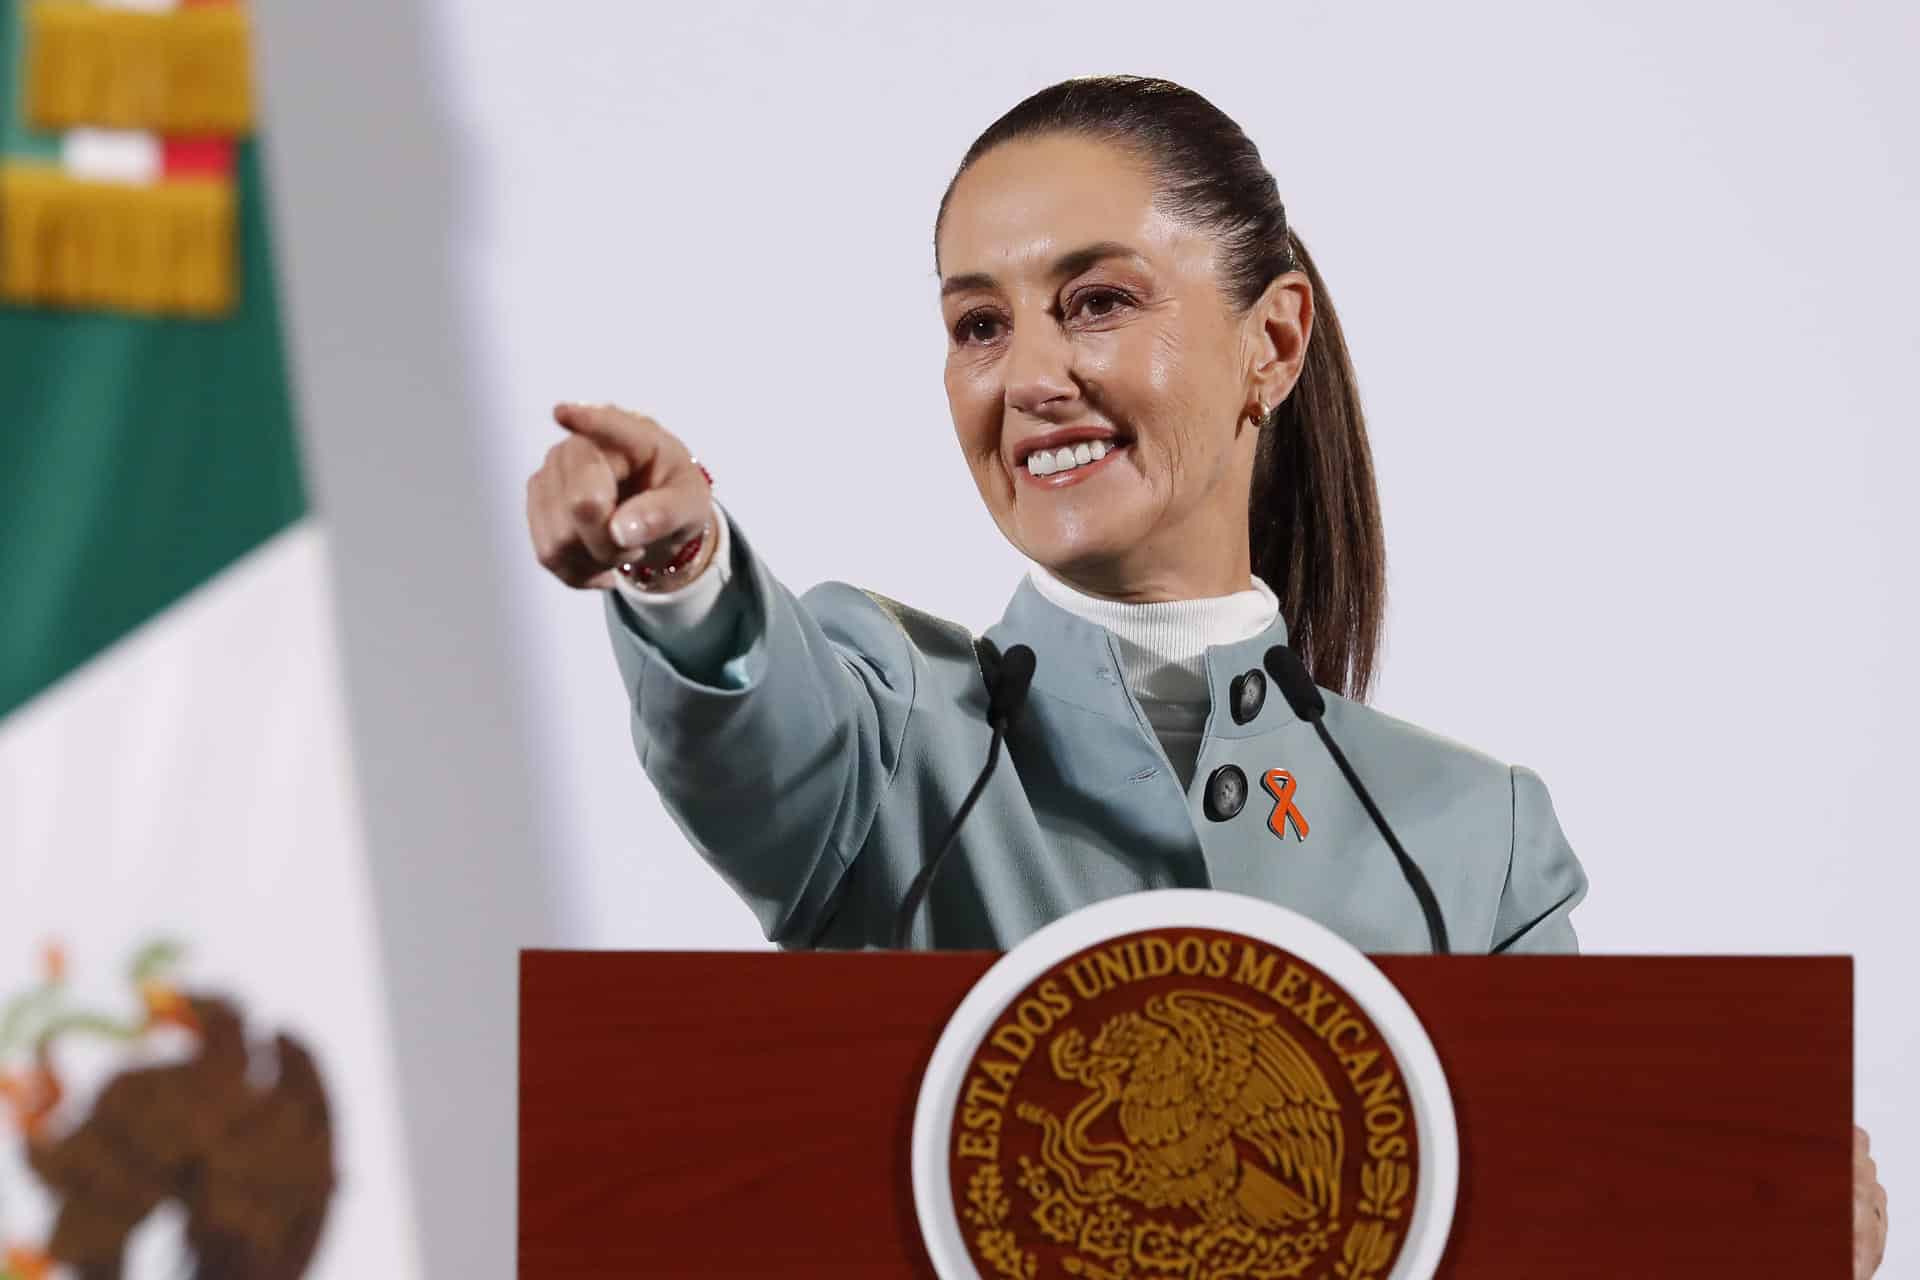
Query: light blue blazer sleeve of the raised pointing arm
[[777, 763]]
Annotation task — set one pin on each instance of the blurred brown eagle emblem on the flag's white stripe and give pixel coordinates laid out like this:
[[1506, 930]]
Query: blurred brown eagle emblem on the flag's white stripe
[[245, 1162]]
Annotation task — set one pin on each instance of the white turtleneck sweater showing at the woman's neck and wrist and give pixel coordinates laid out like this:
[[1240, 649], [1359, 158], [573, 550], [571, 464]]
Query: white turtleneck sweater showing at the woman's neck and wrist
[[1163, 648]]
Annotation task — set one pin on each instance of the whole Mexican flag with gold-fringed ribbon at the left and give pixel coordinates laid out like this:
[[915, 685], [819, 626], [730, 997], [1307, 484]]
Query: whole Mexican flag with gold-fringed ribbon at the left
[[195, 1066]]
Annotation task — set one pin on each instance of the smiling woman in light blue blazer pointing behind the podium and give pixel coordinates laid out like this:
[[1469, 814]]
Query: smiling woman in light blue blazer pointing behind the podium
[[1151, 389]]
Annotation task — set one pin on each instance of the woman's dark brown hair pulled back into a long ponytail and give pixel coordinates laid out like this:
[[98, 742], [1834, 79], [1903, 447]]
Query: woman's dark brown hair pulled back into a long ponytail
[[1314, 521]]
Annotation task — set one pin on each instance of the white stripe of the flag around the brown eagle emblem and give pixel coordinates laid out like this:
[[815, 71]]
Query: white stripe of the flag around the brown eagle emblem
[[195, 784]]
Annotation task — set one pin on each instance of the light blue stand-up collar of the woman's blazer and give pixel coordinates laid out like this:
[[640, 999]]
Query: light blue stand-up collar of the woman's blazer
[[1078, 661]]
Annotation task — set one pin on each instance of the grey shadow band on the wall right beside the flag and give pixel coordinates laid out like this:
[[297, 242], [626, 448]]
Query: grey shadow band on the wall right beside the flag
[[366, 176]]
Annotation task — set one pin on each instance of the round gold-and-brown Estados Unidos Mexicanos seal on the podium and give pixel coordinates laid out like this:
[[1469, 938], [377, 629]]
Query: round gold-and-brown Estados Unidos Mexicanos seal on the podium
[[1188, 1102]]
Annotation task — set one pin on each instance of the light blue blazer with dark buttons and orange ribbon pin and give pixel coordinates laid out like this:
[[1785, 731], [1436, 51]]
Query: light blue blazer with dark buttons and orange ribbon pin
[[825, 759]]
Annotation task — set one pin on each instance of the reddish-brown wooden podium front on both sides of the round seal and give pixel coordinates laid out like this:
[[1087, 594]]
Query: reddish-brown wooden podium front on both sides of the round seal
[[725, 1114]]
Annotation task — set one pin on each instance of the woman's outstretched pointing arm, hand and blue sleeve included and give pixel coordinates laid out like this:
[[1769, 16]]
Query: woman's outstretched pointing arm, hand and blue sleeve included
[[769, 726]]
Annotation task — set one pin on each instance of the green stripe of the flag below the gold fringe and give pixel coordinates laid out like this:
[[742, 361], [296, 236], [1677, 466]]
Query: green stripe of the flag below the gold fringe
[[139, 456]]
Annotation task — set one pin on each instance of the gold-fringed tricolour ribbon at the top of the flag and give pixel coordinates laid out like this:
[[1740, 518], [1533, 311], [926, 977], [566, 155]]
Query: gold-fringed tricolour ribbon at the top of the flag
[[118, 156]]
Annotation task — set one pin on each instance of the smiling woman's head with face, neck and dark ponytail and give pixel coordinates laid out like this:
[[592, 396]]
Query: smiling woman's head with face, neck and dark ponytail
[[1143, 233]]
